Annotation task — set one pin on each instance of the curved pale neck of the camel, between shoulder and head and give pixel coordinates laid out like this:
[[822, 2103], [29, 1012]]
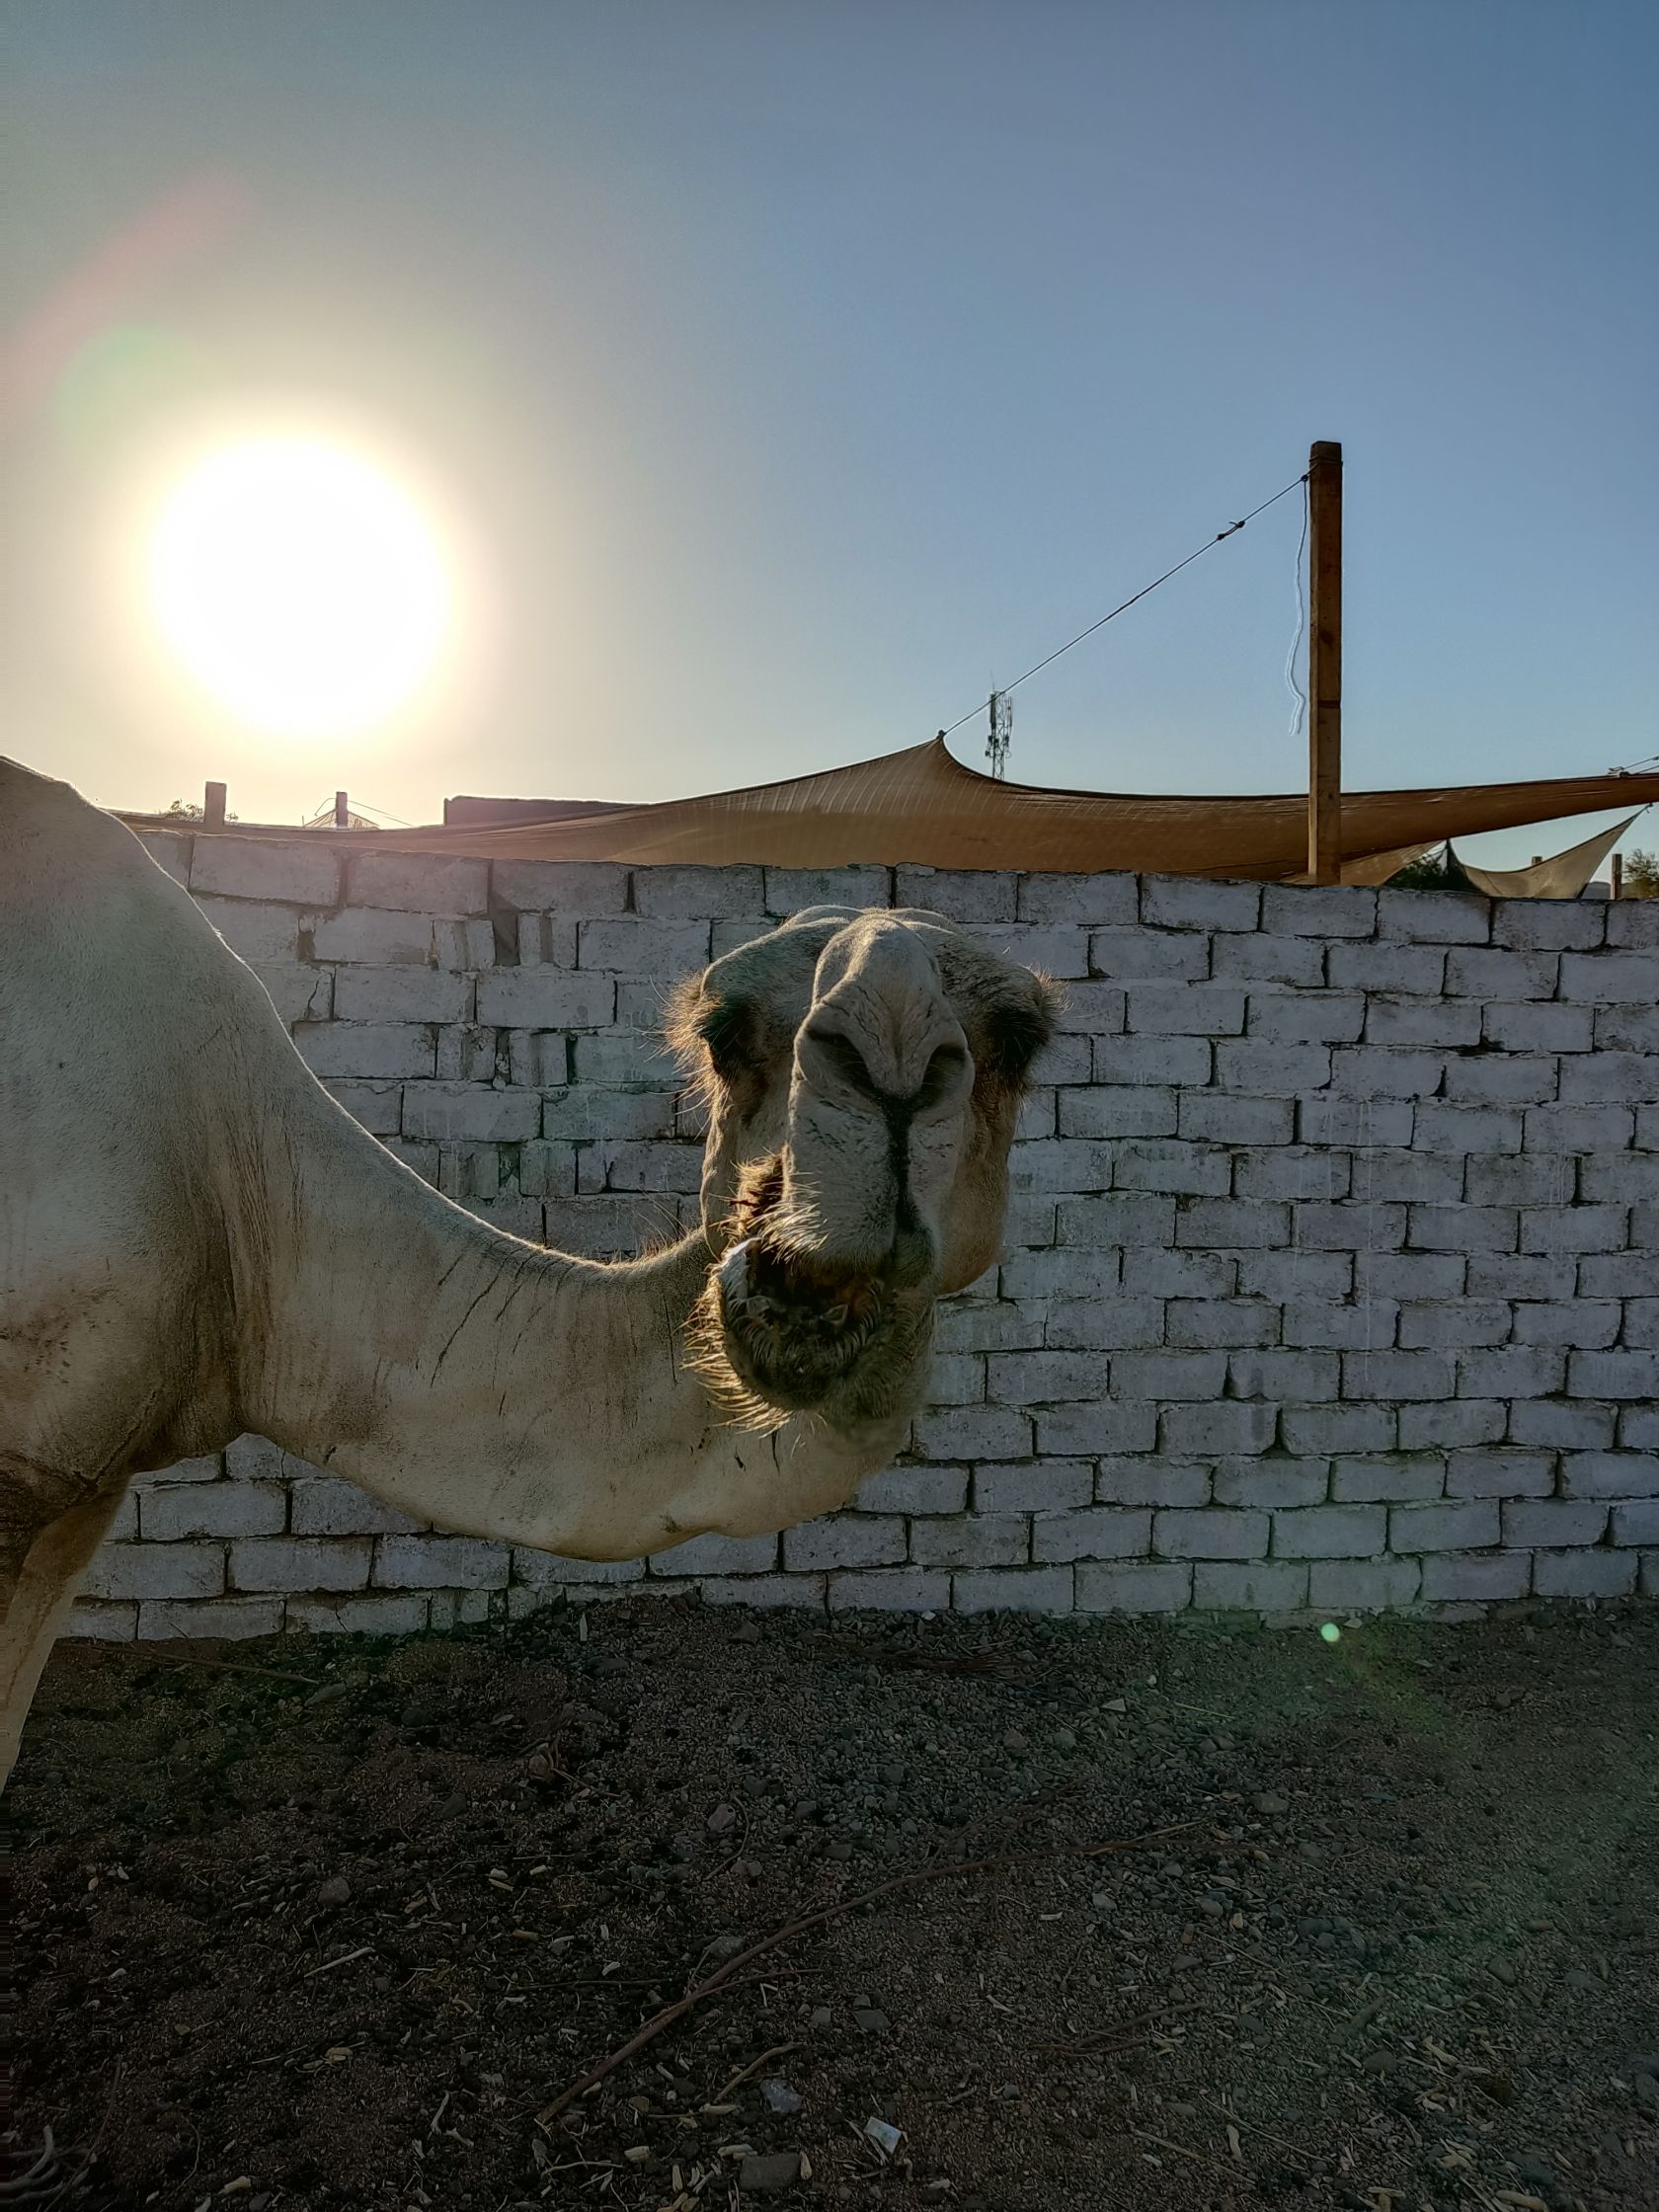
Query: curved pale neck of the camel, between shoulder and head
[[501, 1390]]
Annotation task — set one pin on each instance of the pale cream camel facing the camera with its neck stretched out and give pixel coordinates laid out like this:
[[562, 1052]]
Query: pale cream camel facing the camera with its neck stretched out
[[198, 1242]]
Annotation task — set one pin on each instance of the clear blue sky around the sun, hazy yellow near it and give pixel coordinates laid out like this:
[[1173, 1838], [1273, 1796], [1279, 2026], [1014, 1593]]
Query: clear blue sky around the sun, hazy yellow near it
[[784, 377]]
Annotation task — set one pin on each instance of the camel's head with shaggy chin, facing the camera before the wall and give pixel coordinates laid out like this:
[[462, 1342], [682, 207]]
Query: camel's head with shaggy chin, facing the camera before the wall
[[864, 1074]]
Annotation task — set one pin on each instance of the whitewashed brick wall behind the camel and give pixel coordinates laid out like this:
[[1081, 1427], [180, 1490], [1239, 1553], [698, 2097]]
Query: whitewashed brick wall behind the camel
[[1333, 1275]]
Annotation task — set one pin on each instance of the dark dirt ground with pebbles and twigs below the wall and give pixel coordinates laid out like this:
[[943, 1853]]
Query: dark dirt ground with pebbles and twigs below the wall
[[1271, 1921]]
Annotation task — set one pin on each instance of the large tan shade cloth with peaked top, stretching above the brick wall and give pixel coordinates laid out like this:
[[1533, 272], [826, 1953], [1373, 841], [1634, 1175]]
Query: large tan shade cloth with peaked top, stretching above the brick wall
[[924, 806]]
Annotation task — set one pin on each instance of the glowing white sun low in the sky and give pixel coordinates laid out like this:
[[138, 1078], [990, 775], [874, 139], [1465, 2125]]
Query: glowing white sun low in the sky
[[300, 585]]
